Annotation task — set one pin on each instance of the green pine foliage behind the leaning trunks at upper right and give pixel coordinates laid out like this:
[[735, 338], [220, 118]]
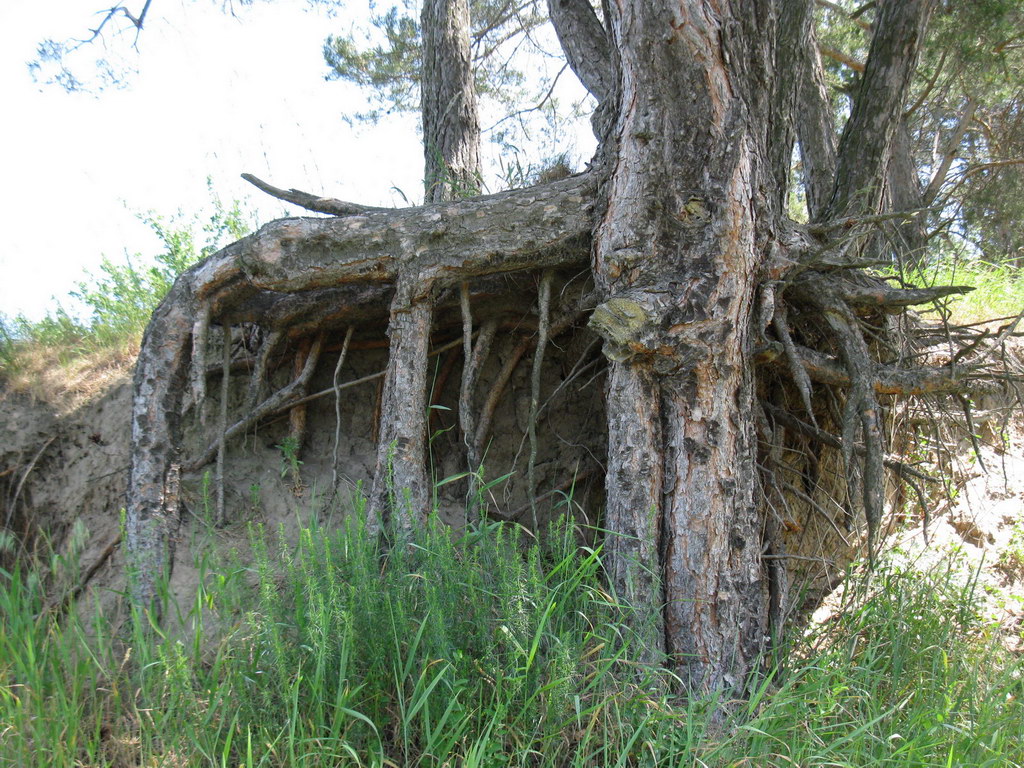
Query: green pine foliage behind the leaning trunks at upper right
[[973, 52]]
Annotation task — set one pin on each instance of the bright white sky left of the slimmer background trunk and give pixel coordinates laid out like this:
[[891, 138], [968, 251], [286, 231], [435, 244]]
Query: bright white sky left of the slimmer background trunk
[[215, 97]]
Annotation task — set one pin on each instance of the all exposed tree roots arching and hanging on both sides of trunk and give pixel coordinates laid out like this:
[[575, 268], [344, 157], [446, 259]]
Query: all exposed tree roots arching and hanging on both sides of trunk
[[442, 271]]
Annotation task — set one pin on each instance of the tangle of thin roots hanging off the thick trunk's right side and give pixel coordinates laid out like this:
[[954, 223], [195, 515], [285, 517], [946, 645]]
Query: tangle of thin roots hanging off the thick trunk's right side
[[831, 330]]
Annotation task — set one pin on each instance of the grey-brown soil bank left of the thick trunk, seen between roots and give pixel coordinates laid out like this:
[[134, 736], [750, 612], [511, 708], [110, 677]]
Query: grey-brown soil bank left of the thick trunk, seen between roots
[[64, 460]]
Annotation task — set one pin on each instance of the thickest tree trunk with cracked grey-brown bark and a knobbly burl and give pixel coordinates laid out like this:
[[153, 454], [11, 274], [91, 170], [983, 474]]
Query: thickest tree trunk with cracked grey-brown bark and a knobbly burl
[[678, 253]]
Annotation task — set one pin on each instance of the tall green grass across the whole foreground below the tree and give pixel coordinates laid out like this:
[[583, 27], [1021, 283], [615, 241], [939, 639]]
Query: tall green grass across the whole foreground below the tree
[[486, 650]]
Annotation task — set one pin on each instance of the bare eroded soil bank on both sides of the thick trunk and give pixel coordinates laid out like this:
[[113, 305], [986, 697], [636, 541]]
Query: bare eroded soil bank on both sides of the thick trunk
[[64, 465]]
